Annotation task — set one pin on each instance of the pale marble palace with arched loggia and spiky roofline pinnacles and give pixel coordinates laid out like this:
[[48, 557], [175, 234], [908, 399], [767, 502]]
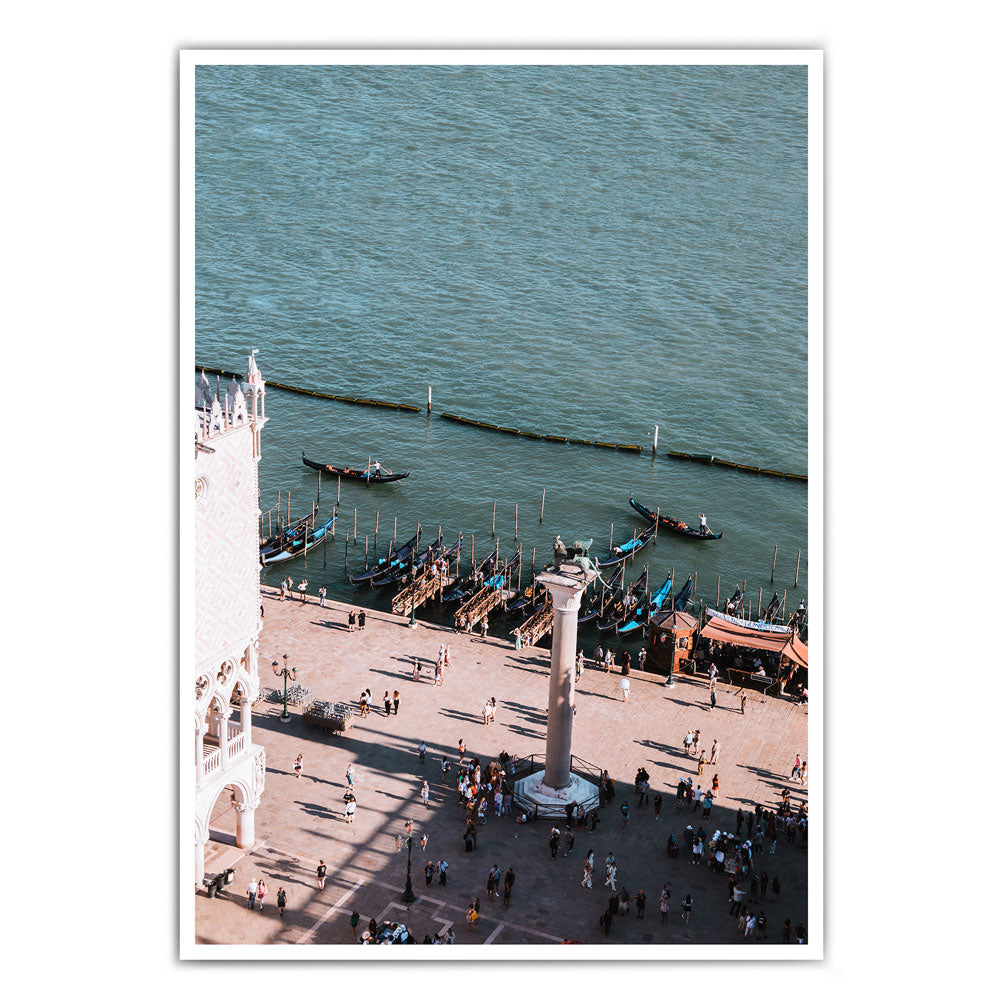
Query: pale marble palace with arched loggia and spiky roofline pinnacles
[[229, 768]]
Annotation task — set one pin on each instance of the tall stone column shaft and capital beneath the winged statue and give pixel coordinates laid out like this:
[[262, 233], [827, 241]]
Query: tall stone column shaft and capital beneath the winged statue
[[566, 588]]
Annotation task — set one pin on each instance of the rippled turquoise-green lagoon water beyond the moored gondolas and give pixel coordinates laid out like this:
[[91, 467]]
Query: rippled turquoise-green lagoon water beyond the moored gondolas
[[582, 251]]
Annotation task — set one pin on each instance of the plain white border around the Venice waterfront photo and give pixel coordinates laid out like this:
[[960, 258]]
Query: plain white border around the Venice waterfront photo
[[811, 58]]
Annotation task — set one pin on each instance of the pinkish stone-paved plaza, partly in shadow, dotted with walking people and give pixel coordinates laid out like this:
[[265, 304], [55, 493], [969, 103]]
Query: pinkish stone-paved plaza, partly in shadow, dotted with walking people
[[301, 820]]
